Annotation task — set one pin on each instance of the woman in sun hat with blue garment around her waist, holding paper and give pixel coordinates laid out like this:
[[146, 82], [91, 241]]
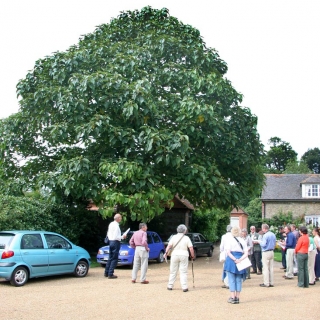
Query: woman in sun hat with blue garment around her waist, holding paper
[[236, 251]]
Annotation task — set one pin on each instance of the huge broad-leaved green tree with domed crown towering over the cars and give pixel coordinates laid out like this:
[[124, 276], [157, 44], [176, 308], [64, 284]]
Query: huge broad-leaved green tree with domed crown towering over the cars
[[136, 112]]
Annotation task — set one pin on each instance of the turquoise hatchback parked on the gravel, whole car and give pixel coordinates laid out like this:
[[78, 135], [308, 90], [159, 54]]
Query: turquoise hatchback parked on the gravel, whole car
[[30, 254]]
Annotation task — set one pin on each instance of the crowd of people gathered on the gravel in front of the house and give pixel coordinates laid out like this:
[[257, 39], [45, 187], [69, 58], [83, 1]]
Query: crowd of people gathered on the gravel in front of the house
[[299, 248]]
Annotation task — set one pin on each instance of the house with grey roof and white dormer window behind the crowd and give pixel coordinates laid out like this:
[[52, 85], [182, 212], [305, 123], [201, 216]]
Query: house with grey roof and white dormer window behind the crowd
[[296, 193]]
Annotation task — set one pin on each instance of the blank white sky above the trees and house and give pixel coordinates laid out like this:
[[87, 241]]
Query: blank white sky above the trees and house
[[272, 48]]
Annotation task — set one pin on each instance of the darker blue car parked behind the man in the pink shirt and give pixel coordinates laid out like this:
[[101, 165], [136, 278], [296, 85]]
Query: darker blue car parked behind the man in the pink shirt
[[126, 253]]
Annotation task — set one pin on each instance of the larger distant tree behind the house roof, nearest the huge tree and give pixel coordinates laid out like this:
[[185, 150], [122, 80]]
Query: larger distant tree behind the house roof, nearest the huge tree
[[280, 153]]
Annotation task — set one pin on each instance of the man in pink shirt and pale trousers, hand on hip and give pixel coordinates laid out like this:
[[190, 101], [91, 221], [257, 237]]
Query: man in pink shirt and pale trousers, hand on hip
[[140, 243]]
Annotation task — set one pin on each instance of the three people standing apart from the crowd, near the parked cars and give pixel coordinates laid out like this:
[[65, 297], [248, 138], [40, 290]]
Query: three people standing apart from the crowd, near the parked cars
[[179, 246]]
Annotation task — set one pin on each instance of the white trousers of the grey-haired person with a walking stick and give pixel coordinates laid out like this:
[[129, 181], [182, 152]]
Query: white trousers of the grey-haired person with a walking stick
[[181, 263]]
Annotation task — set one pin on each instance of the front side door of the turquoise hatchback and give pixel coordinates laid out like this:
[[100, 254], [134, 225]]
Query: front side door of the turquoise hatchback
[[61, 254]]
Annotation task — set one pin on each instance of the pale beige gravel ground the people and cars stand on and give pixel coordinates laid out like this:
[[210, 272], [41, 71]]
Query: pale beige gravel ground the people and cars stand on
[[97, 297]]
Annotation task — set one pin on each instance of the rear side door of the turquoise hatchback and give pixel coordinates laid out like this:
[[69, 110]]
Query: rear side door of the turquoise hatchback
[[34, 254]]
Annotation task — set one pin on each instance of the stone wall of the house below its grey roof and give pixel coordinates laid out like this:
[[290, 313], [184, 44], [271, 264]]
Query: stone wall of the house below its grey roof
[[297, 208]]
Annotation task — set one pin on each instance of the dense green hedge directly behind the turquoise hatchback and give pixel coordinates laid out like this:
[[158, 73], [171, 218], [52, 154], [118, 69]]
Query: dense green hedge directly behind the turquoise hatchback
[[29, 213]]
